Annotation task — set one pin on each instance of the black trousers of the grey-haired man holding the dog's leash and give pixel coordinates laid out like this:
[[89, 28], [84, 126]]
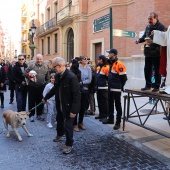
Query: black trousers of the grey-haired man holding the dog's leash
[[65, 126]]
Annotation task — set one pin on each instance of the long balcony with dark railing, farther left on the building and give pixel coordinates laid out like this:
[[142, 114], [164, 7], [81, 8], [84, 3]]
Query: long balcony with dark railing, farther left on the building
[[47, 27]]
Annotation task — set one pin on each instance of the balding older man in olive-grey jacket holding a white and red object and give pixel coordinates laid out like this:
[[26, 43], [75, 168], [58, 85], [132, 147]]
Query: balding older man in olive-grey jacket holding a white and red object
[[35, 89]]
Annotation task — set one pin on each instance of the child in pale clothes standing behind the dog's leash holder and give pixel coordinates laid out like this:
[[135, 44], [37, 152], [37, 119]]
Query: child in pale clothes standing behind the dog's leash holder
[[51, 108]]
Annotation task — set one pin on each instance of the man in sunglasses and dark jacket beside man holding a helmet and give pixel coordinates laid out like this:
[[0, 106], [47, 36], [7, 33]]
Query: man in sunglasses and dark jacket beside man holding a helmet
[[20, 83]]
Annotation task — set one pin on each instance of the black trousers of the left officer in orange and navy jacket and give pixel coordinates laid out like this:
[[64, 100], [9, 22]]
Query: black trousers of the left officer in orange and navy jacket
[[102, 99]]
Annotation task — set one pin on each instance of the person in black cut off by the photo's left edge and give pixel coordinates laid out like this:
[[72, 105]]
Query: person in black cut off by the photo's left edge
[[2, 85]]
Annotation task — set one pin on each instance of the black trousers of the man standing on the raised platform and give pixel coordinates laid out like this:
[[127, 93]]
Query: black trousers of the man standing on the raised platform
[[151, 62]]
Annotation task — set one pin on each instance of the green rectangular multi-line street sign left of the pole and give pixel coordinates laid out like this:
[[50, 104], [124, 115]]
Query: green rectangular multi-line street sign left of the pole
[[101, 23]]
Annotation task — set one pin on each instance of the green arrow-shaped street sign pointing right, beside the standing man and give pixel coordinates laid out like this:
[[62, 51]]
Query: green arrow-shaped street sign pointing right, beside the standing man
[[124, 33]]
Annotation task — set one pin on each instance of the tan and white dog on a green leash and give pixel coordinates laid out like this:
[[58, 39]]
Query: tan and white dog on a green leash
[[15, 119]]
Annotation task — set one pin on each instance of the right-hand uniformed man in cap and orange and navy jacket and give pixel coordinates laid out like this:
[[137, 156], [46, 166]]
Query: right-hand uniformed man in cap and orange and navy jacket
[[116, 80]]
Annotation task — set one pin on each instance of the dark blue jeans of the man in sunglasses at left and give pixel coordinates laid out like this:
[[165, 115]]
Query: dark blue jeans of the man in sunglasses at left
[[21, 97]]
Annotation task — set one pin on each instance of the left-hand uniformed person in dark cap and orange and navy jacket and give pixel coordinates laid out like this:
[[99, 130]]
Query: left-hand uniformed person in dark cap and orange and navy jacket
[[102, 71]]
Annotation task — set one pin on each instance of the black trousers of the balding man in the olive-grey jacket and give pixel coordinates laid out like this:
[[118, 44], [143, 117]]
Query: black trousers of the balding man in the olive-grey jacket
[[35, 95]]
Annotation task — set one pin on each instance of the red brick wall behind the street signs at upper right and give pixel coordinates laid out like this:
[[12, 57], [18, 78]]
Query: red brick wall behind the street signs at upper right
[[132, 17]]
